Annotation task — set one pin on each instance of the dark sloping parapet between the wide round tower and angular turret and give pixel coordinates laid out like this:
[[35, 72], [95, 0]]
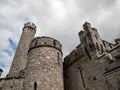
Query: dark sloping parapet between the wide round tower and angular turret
[[73, 56]]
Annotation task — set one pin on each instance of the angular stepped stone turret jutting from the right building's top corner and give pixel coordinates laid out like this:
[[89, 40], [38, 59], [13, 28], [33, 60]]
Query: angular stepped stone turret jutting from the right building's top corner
[[91, 42]]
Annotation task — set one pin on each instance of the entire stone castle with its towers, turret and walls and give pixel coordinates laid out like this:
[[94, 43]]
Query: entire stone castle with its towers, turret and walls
[[93, 65]]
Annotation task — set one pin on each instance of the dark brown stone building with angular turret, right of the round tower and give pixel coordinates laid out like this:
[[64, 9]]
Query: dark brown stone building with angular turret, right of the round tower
[[97, 67]]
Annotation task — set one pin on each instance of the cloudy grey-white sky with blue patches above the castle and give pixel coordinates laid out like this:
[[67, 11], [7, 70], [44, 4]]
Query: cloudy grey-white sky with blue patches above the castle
[[60, 19]]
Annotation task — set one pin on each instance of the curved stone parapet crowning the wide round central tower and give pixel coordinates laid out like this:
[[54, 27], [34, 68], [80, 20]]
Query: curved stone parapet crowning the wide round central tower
[[45, 41]]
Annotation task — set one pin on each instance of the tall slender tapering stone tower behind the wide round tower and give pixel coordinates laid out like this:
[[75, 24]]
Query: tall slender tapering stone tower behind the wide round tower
[[20, 59]]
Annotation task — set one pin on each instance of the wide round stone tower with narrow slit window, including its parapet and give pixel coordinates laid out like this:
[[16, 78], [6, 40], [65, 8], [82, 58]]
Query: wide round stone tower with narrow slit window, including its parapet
[[44, 66]]
